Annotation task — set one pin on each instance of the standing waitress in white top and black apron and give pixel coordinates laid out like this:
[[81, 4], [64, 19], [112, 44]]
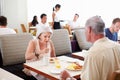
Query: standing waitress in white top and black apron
[[56, 16]]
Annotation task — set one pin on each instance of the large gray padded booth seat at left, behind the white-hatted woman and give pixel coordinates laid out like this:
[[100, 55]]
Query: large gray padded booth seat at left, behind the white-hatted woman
[[12, 55]]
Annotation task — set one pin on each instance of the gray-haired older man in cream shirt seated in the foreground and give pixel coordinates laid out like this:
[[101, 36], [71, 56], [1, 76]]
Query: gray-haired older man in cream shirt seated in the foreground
[[103, 57]]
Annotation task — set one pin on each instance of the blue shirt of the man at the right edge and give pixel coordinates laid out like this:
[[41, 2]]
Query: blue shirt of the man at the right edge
[[111, 36]]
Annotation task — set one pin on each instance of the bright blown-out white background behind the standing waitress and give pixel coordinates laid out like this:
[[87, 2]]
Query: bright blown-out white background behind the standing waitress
[[107, 9]]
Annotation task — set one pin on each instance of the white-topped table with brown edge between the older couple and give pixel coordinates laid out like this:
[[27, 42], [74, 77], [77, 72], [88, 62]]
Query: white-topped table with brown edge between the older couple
[[51, 72]]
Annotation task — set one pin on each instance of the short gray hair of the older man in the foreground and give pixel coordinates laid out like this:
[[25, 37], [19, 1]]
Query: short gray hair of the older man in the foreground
[[97, 24]]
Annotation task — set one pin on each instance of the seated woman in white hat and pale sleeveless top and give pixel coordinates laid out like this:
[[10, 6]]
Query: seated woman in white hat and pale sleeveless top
[[38, 48]]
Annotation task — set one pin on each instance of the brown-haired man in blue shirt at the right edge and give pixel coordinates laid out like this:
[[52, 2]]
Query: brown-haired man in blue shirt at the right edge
[[112, 32]]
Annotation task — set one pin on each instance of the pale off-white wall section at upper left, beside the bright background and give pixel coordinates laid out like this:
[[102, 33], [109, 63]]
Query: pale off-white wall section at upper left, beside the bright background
[[16, 13]]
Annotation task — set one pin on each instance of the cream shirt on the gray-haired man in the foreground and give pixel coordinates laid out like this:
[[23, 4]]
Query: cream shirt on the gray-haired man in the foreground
[[102, 60]]
